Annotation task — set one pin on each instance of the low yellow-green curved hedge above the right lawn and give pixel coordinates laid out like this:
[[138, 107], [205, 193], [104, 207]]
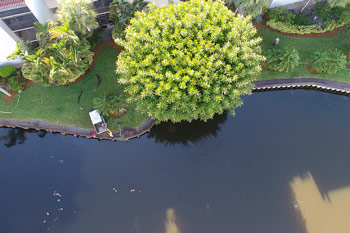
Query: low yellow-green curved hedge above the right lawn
[[290, 28]]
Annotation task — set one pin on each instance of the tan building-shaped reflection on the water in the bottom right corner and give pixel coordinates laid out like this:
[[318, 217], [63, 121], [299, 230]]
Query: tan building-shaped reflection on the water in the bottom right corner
[[322, 214]]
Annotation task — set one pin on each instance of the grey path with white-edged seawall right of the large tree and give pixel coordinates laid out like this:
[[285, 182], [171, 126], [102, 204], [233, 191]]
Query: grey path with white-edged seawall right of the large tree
[[308, 82]]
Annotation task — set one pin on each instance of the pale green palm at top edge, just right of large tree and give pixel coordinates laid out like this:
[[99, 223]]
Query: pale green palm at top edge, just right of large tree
[[252, 7]]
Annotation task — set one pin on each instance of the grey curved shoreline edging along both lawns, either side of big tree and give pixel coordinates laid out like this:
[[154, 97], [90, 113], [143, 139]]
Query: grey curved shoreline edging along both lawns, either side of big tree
[[127, 133]]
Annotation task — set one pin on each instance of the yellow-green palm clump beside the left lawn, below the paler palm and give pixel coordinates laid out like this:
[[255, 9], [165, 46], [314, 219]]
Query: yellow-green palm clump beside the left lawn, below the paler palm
[[60, 58]]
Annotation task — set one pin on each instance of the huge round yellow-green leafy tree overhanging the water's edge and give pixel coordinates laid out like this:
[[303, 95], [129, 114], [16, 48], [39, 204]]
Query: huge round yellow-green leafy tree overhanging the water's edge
[[189, 61]]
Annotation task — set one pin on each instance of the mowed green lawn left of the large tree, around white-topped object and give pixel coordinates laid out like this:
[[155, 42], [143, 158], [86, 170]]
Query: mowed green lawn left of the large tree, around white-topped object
[[59, 104]]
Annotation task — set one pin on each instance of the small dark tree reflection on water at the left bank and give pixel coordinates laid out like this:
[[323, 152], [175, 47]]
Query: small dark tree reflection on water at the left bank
[[18, 136]]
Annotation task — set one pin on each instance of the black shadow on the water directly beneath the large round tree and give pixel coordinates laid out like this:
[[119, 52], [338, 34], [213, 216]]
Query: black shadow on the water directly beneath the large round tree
[[170, 133]]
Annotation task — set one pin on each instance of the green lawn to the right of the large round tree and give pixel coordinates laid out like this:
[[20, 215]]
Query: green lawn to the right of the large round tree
[[306, 47]]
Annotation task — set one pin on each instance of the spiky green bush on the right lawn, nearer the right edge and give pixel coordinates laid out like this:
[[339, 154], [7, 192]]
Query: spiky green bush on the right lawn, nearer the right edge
[[329, 62]]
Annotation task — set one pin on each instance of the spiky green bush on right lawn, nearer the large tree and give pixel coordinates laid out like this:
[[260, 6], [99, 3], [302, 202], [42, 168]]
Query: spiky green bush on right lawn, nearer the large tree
[[282, 59]]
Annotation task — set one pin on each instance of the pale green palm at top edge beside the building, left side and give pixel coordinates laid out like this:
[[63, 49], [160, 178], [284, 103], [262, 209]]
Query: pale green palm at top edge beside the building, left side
[[78, 14]]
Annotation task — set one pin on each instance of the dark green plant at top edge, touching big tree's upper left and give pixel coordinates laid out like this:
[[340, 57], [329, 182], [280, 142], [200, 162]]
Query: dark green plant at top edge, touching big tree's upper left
[[121, 11]]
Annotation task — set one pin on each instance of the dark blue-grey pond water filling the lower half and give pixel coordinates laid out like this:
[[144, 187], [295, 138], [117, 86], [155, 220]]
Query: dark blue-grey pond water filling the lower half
[[230, 175]]
